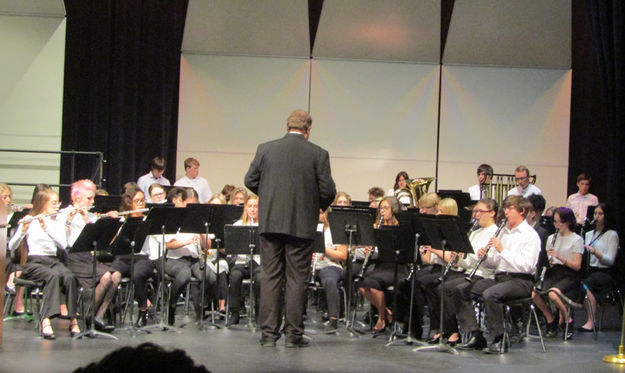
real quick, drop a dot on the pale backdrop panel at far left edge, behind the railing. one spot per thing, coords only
(31, 97)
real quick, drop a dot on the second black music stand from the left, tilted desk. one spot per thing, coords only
(129, 241)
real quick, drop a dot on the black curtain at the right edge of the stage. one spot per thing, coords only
(597, 99)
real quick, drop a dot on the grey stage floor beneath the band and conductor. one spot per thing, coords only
(236, 350)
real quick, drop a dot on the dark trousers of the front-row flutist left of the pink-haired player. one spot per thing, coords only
(57, 279)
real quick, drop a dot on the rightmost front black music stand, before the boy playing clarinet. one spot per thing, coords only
(448, 230)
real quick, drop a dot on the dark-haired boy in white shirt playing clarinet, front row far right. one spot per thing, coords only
(513, 255)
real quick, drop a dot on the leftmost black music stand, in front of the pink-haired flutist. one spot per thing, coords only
(94, 237)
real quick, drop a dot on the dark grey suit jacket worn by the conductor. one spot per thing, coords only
(293, 180)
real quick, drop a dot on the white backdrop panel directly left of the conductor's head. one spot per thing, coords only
(228, 105)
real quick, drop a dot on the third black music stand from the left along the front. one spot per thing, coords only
(164, 220)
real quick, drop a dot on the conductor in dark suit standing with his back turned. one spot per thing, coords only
(293, 180)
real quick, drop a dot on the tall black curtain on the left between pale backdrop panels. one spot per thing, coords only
(122, 72)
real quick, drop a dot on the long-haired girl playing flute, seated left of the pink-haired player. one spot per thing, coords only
(44, 236)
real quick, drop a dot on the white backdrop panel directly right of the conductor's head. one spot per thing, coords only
(375, 119)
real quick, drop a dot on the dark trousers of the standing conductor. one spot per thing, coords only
(286, 260)
